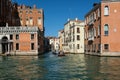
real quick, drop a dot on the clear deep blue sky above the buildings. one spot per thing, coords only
(57, 12)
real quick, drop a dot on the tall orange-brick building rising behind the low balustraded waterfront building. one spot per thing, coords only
(31, 16)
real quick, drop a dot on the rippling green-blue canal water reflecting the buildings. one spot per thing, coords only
(52, 67)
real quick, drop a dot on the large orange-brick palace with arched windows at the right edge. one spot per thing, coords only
(102, 29)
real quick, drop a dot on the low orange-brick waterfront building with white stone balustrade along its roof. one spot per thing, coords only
(19, 40)
